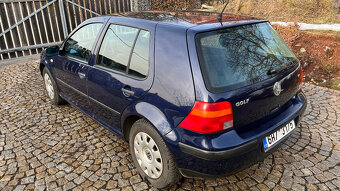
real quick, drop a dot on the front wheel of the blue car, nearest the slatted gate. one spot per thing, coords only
(51, 88)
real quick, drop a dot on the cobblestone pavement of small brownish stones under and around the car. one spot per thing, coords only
(59, 148)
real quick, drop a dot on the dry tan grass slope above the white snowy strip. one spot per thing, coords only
(288, 10)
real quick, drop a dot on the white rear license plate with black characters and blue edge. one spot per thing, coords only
(278, 135)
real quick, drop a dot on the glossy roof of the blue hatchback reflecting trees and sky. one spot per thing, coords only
(189, 19)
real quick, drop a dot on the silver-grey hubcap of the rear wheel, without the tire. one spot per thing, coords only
(148, 155)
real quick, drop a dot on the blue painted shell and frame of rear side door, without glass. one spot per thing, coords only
(105, 86)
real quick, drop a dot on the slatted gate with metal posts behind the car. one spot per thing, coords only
(27, 26)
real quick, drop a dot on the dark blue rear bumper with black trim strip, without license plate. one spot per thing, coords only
(227, 153)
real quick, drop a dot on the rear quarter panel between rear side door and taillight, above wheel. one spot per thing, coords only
(173, 89)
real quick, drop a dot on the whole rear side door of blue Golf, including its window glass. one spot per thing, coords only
(121, 73)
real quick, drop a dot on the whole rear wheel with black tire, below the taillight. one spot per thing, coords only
(152, 157)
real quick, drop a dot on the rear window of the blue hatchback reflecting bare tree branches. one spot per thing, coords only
(236, 57)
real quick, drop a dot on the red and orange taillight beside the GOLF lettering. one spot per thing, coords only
(209, 117)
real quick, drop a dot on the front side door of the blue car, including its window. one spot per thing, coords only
(72, 65)
